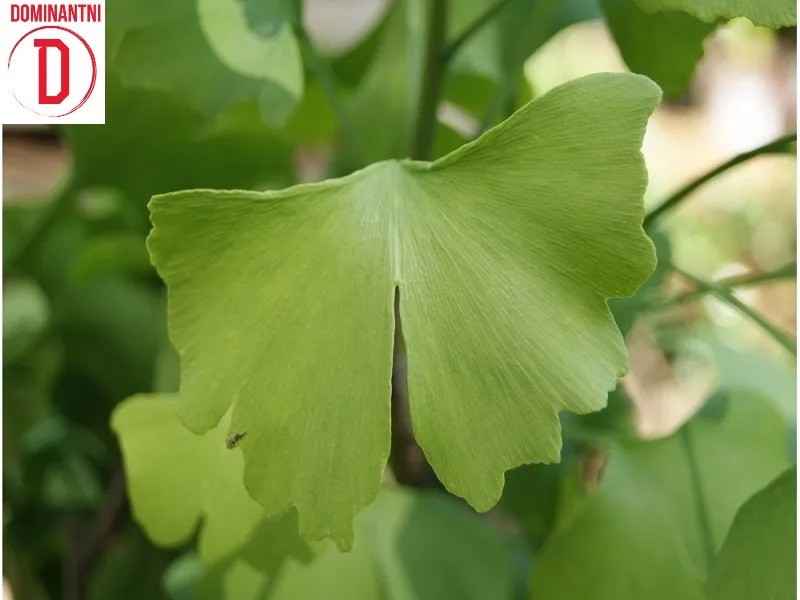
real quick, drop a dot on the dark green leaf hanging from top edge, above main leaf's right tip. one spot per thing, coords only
(664, 46)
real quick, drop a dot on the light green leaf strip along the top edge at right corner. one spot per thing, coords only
(769, 13)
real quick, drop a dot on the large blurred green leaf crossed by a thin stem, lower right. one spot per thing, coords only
(639, 534)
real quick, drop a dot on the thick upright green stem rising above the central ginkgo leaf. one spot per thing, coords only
(433, 75)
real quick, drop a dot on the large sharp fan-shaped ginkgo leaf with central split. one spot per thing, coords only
(502, 254)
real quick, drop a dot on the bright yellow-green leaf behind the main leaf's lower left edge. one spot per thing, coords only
(175, 478)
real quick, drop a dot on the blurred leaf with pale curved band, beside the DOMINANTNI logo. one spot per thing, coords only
(201, 51)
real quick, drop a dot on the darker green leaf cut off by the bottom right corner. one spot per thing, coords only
(759, 557)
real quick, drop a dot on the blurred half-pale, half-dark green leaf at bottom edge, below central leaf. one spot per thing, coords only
(408, 546)
